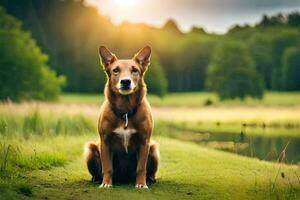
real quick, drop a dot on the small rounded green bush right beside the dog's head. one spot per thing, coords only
(155, 79)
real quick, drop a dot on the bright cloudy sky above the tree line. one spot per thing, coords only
(213, 15)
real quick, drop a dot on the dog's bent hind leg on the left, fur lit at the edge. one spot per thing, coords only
(93, 161)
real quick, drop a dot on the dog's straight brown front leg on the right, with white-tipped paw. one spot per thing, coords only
(141, 166)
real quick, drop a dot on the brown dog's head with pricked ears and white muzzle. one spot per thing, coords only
(125, 76)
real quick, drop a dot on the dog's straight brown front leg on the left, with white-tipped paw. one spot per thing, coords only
(107, 170)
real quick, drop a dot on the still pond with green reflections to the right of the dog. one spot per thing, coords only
(269, 148)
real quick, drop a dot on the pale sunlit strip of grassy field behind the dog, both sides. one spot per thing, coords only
(281, 121)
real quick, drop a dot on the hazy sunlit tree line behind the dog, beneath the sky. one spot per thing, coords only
(70, 33)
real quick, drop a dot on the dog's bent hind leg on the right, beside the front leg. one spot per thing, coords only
(153, 162)
